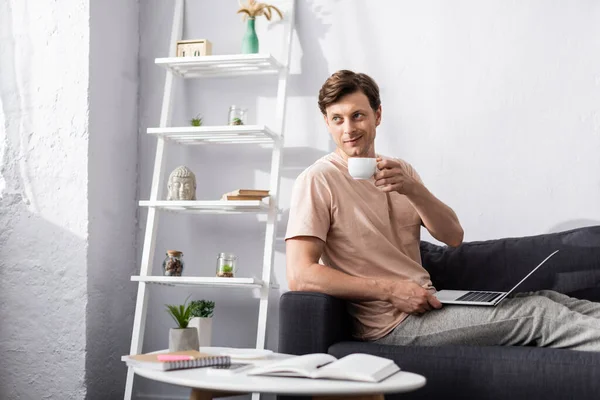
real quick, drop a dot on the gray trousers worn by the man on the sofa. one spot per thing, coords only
(545, 318)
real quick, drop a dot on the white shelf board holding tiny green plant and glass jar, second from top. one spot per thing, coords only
(190, 135)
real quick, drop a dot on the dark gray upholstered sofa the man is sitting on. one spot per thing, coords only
(314, 322)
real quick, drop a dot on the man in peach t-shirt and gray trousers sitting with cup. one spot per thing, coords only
(367, 234)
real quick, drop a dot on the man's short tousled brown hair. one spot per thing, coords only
(345, 82)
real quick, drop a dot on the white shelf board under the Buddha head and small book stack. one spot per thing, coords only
(210, 206)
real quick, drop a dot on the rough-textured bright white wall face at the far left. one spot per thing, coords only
(44, 138)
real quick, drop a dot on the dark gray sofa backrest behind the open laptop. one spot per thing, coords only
(499, 264)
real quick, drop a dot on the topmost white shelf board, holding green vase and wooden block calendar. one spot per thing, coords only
(221, 65)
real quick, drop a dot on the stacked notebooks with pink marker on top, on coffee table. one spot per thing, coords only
(196, 360)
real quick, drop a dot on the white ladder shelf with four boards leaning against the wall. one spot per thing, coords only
(208, 67)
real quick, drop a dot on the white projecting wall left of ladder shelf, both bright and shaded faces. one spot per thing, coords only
(68, 183)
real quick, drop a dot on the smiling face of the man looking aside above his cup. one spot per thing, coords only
(352, 124)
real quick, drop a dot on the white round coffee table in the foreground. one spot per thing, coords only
(203, 383)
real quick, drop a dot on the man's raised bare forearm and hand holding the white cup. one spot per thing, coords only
(439, 219)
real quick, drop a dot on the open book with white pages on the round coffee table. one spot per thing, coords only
(353, 367)
